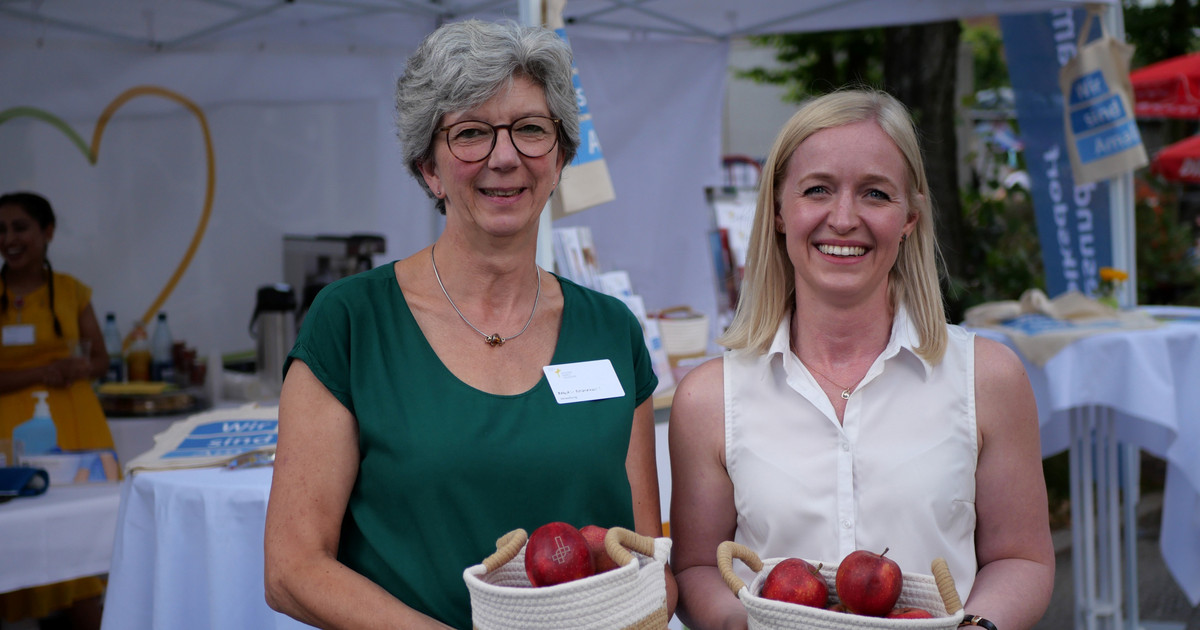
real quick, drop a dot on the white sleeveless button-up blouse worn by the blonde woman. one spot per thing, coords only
(898, 475)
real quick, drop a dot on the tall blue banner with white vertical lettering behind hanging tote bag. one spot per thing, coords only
(1073, 221)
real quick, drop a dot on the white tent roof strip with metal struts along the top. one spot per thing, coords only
(184, 23)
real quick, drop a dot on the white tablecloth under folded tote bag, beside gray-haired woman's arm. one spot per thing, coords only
(189, 553)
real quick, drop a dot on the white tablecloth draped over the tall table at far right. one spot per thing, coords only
(1151, 381)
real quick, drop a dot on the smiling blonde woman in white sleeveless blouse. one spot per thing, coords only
(848, 415)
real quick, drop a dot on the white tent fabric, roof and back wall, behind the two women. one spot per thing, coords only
(298, 97)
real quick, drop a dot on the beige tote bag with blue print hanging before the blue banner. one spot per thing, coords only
(1102, 133)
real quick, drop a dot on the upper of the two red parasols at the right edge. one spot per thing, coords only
(1168, 89)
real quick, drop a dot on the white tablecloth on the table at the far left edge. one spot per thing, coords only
(62, 535)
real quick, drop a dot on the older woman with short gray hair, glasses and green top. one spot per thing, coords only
(417, 423)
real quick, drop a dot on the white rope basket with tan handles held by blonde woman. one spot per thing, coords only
(934, 595)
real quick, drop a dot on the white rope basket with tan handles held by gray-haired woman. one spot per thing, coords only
(632, 597)
